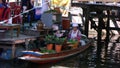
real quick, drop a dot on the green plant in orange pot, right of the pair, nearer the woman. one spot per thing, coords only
(58, 43)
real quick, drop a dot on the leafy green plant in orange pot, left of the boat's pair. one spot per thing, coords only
(49, 41)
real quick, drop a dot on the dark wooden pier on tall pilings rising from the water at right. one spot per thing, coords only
(91, 11)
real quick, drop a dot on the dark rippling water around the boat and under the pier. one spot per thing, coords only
(109, 58)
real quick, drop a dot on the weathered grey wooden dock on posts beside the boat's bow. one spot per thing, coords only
(11, 43)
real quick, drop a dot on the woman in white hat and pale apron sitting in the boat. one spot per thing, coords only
(74, 33)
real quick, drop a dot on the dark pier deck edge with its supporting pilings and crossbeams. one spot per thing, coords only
(99, 9)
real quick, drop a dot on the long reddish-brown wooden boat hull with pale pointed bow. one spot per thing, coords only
(54, 57)
